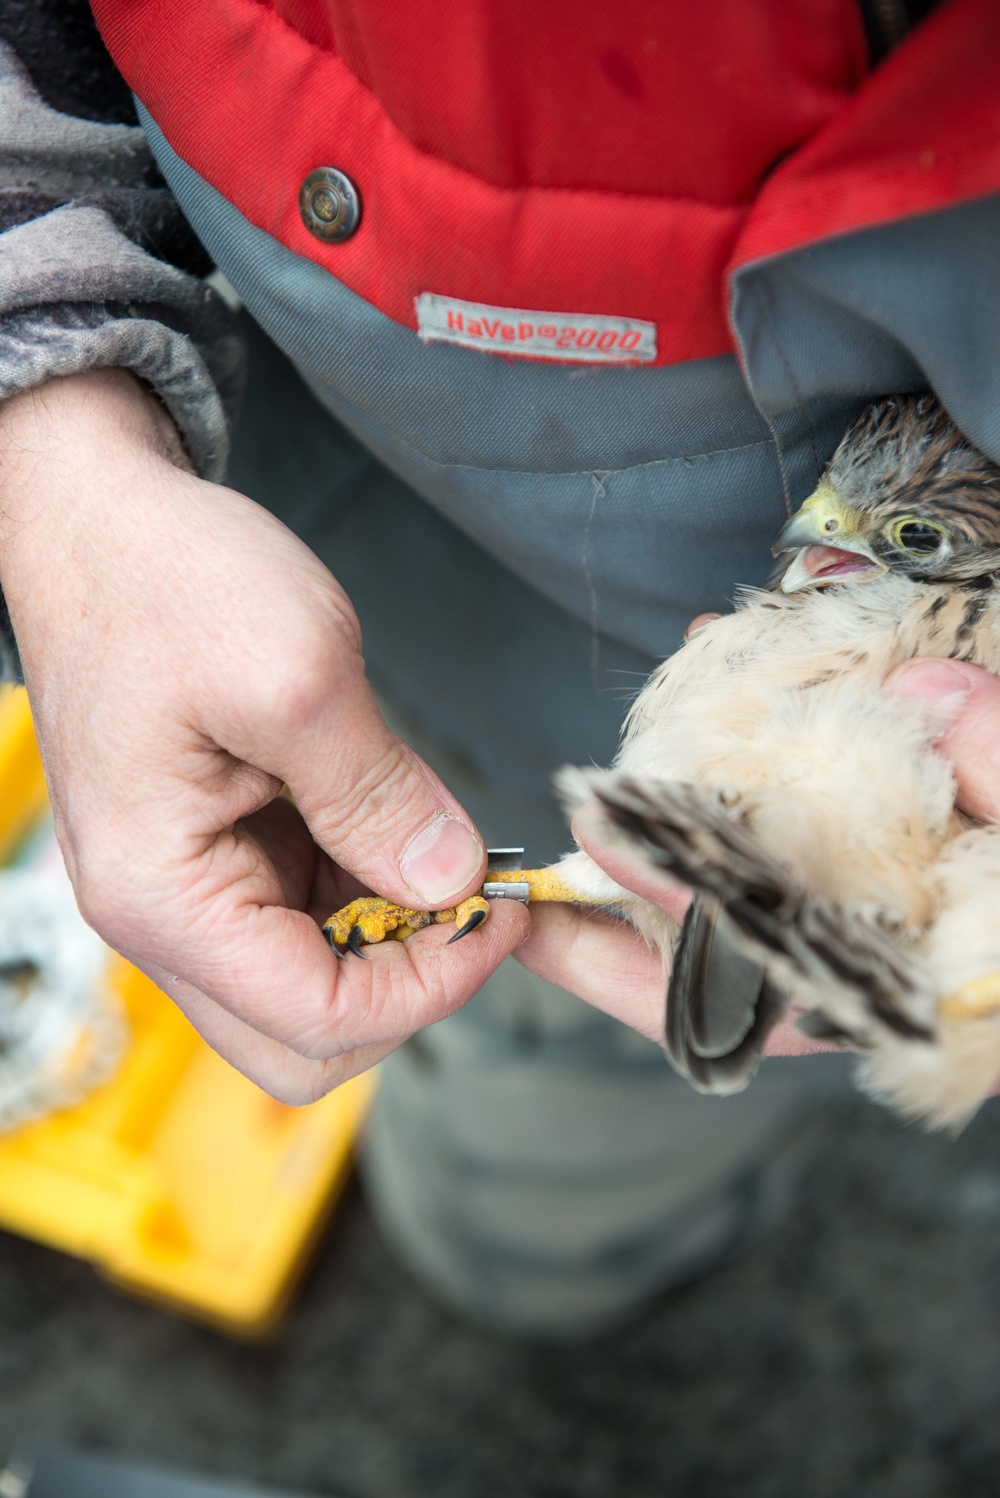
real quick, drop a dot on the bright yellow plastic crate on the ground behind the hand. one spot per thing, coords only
(179, 1178)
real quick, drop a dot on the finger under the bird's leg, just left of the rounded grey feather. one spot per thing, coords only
(603, 961)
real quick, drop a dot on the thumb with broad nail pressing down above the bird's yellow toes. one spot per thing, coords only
(376, 808)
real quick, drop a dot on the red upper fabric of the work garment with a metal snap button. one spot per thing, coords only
(564, 158)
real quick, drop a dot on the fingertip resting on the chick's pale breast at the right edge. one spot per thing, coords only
(963, 708)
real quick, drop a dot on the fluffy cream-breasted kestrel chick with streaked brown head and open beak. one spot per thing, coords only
(764, 766)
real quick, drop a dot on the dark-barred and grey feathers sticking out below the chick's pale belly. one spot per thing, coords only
(755, 936)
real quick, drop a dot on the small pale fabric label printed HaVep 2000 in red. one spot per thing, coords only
(580, 338)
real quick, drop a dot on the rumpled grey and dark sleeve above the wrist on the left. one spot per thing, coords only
(88, 278)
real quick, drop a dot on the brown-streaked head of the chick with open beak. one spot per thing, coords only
(905, 492)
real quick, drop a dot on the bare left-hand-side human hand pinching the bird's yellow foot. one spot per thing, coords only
(186, 655)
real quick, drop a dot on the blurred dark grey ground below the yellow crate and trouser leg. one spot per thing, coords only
(854, 1353)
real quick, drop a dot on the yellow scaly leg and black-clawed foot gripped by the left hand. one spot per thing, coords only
(372, 919)
